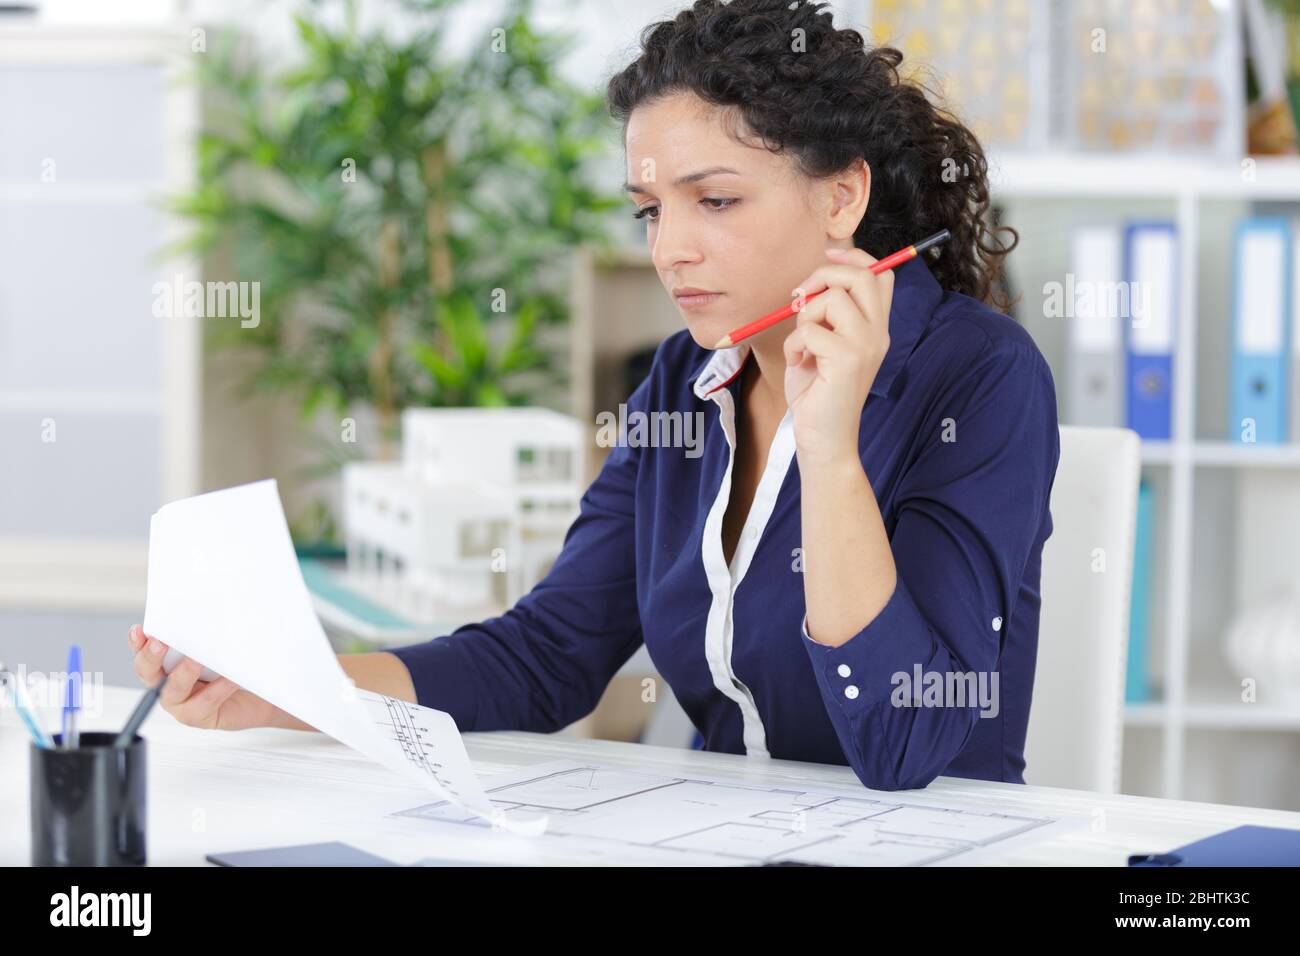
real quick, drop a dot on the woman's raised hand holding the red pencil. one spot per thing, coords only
(834, 354)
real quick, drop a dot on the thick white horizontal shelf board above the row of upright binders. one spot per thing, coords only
(1074, 175)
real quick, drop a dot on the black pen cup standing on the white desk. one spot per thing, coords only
(88, 804)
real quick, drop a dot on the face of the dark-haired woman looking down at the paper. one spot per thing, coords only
(751, 235)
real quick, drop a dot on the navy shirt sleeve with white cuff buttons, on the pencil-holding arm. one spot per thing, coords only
(970, 512)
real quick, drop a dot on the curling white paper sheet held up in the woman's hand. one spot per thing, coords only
(226, 589)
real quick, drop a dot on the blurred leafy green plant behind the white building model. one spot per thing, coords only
(408, 215)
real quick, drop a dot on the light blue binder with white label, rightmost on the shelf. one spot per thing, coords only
(1262, 336)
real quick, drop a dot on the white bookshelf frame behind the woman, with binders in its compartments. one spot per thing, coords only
(1199, 197)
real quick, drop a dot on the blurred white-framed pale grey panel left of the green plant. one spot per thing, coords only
(112, 109)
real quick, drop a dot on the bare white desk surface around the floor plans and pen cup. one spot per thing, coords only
(214, 791)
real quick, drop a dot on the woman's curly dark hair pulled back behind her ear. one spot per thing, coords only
(829, 100)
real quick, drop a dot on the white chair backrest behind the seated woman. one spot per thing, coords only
(1076, 734)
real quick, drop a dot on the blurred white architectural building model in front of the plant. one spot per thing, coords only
(471, 518)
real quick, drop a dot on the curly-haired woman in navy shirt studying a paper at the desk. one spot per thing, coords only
(847, 572)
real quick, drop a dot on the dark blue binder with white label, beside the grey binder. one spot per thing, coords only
(1151, 271)
